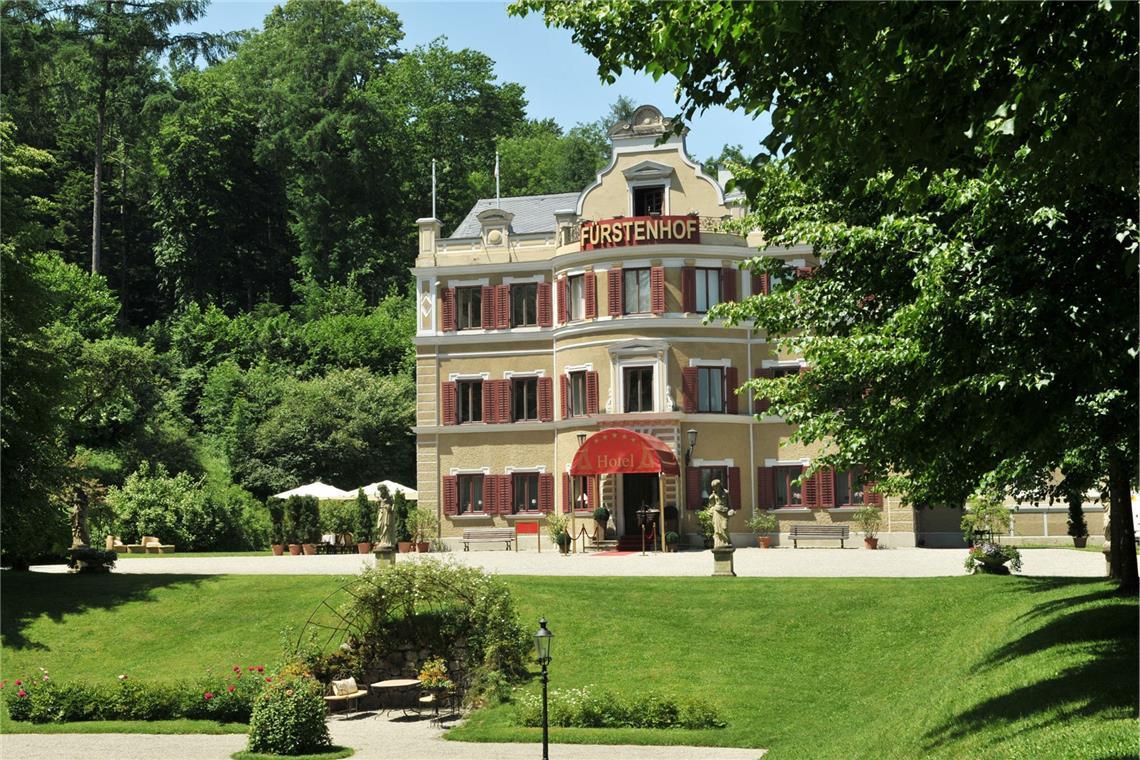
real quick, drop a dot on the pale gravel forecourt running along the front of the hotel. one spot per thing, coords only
(751, 562)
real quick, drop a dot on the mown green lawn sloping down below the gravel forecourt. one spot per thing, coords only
(810, 668)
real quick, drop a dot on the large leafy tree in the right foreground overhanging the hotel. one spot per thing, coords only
(968, 173)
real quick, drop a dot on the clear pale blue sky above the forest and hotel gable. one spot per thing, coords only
(561, 80)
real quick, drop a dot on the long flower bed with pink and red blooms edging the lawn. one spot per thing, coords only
(226, 699)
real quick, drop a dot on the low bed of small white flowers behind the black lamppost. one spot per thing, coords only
(590, 708)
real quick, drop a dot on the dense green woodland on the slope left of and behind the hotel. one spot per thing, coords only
(207, 242)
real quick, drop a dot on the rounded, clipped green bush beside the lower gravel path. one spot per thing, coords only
(289, 718)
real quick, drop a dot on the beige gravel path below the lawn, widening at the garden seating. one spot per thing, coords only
(373, 737)
